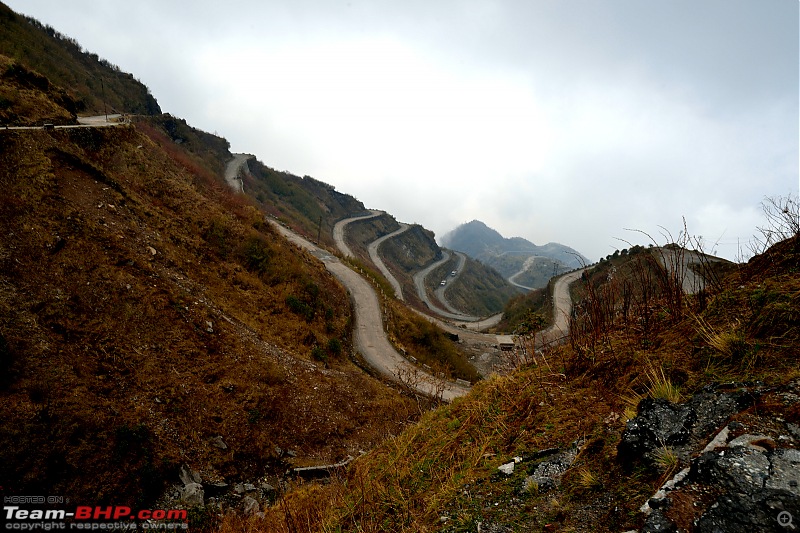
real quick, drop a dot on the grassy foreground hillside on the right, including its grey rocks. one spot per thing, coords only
(586, 433)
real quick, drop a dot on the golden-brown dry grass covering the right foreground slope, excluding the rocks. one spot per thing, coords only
(446, 464)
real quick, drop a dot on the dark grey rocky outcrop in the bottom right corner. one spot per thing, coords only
(741, 458)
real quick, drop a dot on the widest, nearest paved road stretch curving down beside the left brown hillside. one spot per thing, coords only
(370, 338)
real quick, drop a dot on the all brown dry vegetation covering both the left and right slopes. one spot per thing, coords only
(144, 310)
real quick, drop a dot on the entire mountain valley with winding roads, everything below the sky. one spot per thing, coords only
(186, 328)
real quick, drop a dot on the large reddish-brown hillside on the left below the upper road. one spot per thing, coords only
(151, 319)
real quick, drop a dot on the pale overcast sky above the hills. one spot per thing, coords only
(583, 122)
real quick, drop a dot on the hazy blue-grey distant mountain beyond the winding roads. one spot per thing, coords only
(509, 255)
